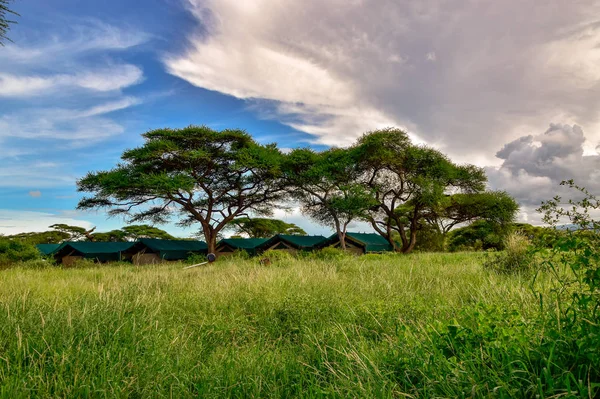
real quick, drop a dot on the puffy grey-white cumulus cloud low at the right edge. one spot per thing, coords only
(534, 165)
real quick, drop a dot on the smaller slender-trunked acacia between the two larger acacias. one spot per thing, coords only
(325, 185)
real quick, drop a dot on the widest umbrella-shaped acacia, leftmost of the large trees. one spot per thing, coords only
(196, 173)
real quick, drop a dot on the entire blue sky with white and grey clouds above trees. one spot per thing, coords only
(512, 86)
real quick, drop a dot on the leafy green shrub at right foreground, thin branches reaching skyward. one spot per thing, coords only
(573, 262)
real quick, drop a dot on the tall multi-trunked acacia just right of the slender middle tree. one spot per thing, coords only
(407, 180)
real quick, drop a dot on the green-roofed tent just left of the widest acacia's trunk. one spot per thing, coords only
(152, 250)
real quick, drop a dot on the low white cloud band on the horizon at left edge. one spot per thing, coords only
(15, 221)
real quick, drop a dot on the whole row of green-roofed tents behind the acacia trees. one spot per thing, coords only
(151, 251)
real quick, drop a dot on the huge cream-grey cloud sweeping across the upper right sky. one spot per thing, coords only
(466, 76)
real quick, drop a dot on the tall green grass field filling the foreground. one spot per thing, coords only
(423, 325)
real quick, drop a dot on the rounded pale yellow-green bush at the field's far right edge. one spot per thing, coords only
(517, 257)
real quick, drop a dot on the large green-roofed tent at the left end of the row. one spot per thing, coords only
(70, 252)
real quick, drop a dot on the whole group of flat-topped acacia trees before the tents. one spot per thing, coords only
(197, 175)
